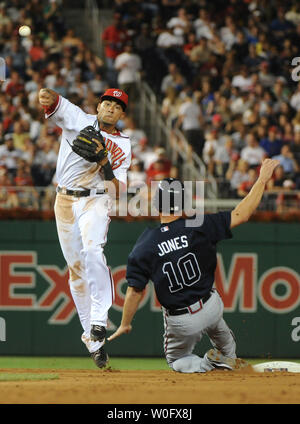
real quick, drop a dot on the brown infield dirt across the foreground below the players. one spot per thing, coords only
(150, 387)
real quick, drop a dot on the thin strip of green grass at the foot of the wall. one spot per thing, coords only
(86, 363)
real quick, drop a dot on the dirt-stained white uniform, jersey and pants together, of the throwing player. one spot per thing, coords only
(82, 222)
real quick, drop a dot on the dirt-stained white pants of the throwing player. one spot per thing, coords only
(82, 226)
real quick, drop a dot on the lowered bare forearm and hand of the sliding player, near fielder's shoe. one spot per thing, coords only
(131, 303)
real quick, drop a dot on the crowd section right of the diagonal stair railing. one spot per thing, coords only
(224, 77)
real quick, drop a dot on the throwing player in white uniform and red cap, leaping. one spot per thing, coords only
(92, 163)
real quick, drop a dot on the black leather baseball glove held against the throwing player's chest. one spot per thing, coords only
(90, 145)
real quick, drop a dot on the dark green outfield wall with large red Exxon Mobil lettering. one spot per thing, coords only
(257, 276)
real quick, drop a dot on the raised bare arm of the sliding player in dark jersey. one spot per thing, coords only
(248, 205)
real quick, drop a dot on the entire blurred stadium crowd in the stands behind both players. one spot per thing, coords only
(222, 71)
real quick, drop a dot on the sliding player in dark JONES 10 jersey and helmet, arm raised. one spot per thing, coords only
(181, 261)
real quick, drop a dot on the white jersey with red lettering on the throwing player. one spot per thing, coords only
(74, 172)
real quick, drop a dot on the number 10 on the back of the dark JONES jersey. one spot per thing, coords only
(185, 273)
